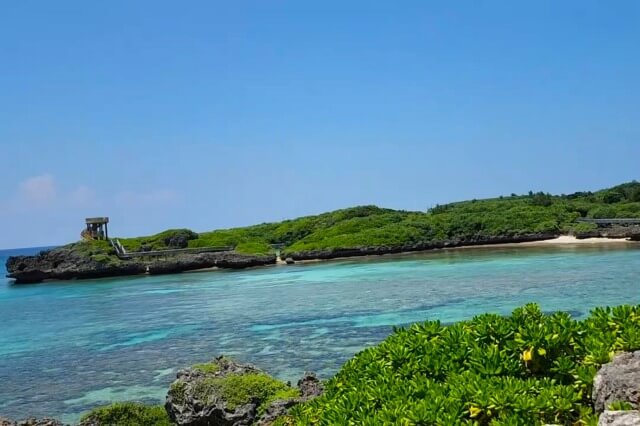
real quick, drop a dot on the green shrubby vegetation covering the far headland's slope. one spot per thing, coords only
(368, 226)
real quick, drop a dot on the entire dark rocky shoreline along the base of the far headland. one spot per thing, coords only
(68, 263)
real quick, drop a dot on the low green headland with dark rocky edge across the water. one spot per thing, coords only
(357, 231)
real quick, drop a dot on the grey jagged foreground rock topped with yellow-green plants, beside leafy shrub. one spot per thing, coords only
(200, 395)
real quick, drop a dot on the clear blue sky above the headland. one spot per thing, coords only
(208, 114)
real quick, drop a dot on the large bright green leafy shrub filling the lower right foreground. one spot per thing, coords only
(525, 369)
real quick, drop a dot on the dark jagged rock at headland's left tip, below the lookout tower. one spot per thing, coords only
(66, 263)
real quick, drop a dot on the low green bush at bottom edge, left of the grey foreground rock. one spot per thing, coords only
(128, 414)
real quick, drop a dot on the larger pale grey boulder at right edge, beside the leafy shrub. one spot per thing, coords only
(618, 381)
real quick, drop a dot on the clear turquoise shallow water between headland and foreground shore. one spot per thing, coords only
(68, 346)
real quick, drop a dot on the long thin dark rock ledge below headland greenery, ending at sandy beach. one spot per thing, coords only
(380, 250)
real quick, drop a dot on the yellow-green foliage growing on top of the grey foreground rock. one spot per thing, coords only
(239, 389)
